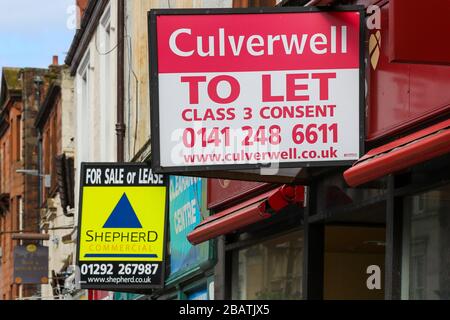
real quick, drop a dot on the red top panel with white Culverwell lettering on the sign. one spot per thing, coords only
(246, 25)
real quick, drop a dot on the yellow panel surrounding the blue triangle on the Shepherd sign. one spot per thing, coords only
(144, 243)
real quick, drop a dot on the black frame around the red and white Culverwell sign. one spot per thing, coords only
(154, 86)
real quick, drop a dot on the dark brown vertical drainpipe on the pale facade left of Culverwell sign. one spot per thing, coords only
(120, 125)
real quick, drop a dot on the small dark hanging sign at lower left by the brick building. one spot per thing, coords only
(30, 264)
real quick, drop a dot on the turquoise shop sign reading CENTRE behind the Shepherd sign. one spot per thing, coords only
(185, 213)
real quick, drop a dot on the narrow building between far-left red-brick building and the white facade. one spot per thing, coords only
(56, 132)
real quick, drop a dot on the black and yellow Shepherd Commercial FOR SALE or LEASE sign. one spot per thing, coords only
(122, 221)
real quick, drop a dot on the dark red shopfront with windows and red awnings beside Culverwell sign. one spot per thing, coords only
(379, 229)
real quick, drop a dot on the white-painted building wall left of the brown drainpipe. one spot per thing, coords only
(92, 61)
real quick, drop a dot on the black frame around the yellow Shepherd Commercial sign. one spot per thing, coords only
(80, 209)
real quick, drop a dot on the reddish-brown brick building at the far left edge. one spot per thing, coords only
(18, 150)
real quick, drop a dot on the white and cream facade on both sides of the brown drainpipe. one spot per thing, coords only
(112, 104)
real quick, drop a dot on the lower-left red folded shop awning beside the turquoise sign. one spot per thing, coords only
(246, 213)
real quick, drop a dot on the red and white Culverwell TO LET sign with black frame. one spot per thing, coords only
(239, 89)
